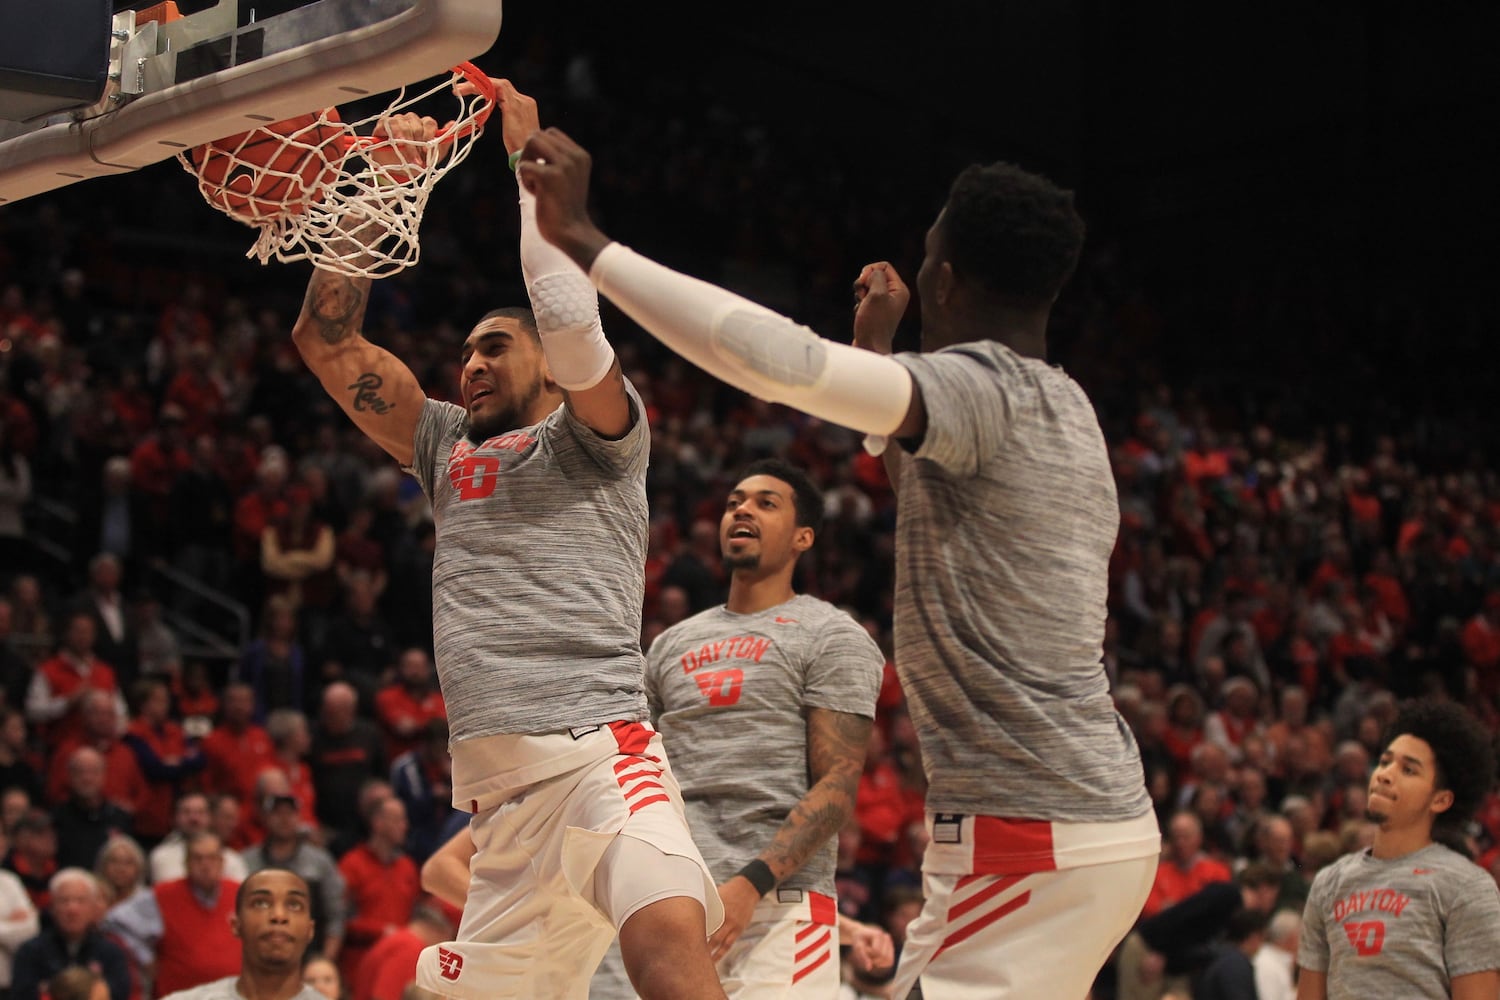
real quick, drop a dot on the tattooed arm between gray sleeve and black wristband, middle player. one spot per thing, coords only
(836, 744)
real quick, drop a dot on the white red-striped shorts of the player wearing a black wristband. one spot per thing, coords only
(790, 951)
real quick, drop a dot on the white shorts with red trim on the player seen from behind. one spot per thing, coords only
(1040, 932)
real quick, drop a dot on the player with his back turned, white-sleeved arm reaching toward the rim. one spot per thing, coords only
(1043, 839)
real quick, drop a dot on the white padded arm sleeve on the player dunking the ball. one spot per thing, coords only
(566, 307)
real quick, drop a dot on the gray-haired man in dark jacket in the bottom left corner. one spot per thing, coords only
(74, 939)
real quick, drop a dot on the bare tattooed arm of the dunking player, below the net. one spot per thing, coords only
(373, 386)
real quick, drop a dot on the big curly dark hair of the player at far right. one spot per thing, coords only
(1463, 750)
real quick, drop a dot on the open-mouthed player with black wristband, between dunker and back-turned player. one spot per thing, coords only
(766, 704)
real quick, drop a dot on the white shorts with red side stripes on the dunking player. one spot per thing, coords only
(532, 926)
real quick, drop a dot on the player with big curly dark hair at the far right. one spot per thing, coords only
(1411, 917)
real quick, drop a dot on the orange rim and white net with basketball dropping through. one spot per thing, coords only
(332, 193)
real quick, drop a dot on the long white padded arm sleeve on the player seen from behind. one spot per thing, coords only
(755, 349)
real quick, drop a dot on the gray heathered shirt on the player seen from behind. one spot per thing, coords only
(1006, 525)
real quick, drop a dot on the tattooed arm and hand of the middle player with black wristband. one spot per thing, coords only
(836, 746)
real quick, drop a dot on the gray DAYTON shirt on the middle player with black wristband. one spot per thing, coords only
(731, 695)
